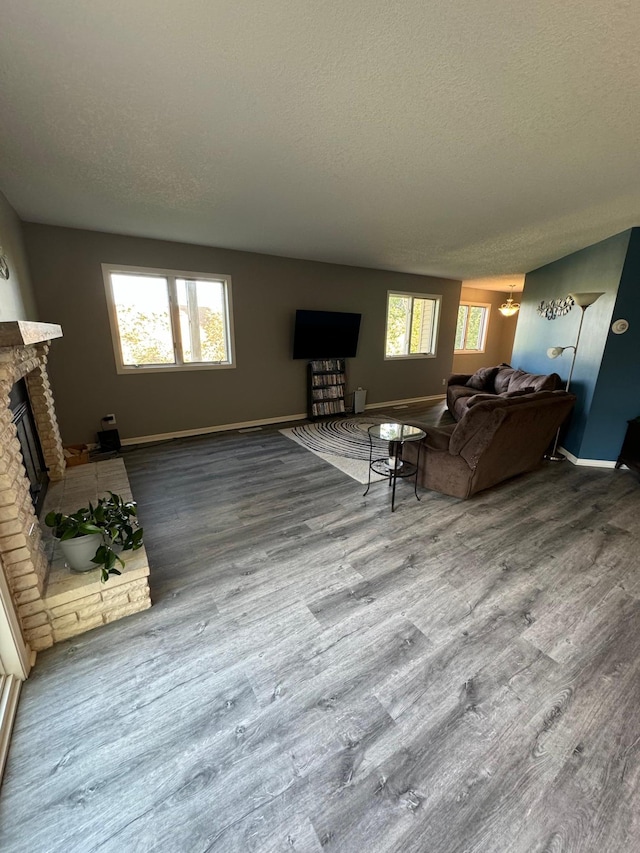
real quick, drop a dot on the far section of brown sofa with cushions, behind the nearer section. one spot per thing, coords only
(503, 380)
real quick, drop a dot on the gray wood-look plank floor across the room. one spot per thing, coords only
(319, 674)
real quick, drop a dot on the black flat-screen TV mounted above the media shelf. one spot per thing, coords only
(325, 334)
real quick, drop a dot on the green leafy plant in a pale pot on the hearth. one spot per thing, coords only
(93, 536)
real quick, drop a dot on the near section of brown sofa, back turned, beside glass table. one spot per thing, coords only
(498, 438)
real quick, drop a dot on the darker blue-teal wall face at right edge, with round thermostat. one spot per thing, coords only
(616, 397)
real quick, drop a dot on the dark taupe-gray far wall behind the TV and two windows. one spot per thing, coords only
(266, 383)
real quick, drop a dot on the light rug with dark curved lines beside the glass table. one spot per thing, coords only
(342, 443)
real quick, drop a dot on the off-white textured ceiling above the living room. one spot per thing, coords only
(474, 138)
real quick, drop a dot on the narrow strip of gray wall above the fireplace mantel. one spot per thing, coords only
(16, 295)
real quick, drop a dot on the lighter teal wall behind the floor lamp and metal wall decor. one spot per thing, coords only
(595, 268)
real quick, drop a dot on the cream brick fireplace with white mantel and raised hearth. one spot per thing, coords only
(50, 603)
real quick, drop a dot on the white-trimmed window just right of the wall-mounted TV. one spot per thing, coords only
(412, 325)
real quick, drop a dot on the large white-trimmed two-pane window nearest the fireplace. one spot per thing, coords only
(168, 319)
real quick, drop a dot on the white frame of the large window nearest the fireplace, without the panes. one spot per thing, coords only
(170, 276)
